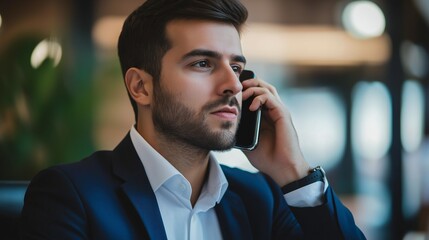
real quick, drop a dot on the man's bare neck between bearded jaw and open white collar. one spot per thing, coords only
(190, 161)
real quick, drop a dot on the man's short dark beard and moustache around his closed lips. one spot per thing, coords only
(180, 123)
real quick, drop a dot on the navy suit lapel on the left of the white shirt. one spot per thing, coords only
(136, 187)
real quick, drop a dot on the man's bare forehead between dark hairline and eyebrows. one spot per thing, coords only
(191, 34)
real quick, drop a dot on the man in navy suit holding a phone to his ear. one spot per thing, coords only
(181, 61)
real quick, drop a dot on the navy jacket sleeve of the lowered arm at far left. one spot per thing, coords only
(52, 208)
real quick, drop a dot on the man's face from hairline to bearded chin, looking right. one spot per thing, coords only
(199, 98)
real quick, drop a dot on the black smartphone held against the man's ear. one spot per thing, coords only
(248, 129)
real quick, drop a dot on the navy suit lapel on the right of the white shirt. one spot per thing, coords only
(232, 217)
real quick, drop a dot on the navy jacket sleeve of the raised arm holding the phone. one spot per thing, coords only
(331, 220)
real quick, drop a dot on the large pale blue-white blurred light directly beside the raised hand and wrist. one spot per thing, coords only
(319, 117)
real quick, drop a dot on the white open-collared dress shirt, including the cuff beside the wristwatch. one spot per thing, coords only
(173, 193)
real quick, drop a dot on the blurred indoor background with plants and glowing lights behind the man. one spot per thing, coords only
(353, 73)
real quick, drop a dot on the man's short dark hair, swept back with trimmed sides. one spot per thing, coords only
(143, 41)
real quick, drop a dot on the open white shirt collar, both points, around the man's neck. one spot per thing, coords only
(159, 170)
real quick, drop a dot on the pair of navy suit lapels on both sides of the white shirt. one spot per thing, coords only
(231, 213)
